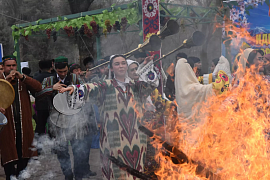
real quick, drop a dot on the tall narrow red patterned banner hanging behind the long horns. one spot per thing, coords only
(151, 25)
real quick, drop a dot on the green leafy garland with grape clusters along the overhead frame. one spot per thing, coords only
(131, 14)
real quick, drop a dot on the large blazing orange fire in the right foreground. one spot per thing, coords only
(227, 137)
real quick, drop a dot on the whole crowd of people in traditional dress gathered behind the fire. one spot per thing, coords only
(122, 91)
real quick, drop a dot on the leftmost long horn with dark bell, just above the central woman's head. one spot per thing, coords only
(151, 44)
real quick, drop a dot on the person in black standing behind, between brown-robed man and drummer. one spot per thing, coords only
(42, 104)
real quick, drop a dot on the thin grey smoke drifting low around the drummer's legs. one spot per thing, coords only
(81, 126)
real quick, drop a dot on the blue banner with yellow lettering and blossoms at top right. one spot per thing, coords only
(255, 16)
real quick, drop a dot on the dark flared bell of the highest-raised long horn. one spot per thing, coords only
(170, 28)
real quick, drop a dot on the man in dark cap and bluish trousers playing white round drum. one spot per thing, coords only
(74, 129)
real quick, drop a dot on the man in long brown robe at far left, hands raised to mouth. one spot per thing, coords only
(17, 136)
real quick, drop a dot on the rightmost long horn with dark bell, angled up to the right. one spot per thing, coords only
(197, 39)
